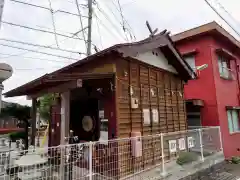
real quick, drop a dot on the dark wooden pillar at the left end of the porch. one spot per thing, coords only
(33, 120)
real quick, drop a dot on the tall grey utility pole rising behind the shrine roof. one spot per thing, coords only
(89, 41)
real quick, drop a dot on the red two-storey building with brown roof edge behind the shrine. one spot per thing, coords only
(213, 98)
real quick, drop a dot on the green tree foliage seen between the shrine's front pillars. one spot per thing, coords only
(44, 106)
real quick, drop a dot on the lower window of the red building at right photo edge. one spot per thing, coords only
(233, 121)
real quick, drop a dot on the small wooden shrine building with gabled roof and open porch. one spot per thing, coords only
(132, 88)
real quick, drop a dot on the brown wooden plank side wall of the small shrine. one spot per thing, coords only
(167, 100)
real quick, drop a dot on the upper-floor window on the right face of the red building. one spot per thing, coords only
(224, 67)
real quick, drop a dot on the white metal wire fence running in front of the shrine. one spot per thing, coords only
(130, 158)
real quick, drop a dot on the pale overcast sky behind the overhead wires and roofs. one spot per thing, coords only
(173, 15)
